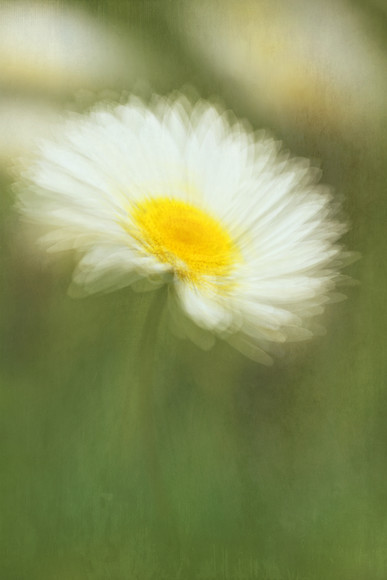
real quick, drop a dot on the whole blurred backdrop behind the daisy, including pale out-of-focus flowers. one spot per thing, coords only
(240, 471)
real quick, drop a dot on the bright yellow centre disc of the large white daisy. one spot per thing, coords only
(193, 242)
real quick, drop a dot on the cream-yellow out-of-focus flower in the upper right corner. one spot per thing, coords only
(310, 63)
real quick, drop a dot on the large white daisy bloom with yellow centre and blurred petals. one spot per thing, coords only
(179, 193)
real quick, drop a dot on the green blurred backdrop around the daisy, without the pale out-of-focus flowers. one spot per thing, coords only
(236, 471)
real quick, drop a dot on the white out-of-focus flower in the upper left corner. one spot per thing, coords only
(46, 46)
